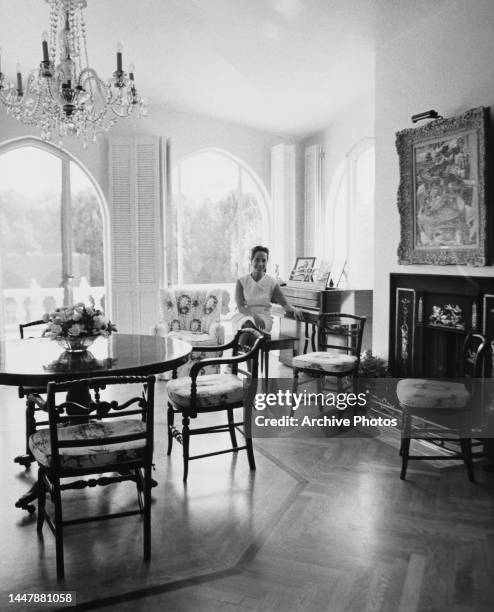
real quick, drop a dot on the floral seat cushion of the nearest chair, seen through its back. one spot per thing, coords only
(90, 456)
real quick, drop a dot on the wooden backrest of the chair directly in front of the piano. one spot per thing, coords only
(337, 330)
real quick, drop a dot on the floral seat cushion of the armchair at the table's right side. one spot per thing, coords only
(212, 390)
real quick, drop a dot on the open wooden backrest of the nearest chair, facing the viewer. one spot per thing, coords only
(79, 406)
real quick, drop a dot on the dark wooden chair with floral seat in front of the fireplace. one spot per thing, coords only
(440, 406)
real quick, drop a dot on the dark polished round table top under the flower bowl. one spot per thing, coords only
(36, 361)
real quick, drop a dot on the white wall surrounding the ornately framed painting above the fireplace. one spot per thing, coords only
(443, 62)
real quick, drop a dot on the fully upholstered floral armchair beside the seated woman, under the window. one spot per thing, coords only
(193, 315)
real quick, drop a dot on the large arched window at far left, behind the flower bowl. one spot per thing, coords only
(51, 233)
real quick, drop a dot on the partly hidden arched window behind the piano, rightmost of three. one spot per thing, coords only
(350, 217)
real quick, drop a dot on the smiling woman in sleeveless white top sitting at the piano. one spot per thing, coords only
(254, 294)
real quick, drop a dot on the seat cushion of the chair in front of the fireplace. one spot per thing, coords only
(424, 393)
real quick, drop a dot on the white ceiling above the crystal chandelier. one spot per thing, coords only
(288, 66)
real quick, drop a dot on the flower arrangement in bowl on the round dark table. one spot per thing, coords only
(77, 321)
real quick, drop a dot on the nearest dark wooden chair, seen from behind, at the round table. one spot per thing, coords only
(88, 436)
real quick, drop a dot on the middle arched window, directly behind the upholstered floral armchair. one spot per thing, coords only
(221, 212)
